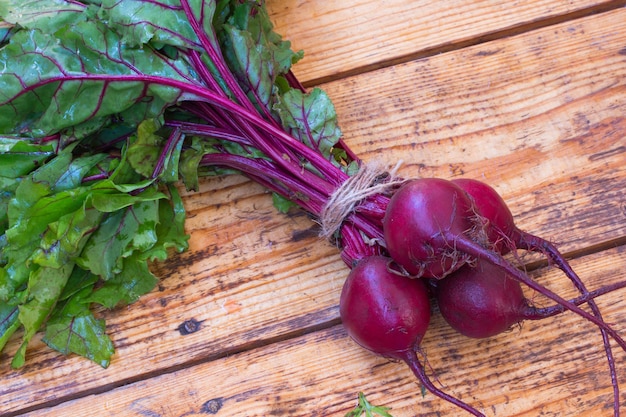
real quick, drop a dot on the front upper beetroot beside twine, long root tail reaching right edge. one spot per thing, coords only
(430, 224)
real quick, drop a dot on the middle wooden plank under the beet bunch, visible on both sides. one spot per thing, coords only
(505, 111)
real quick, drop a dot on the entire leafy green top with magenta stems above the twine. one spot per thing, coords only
(104, 107)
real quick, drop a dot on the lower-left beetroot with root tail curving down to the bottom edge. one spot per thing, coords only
(388, 314)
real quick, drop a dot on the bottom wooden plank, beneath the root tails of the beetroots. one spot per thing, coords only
(552, 367)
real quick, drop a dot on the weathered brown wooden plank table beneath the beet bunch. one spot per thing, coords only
(529, 96)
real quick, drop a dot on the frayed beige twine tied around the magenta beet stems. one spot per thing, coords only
(371, 178)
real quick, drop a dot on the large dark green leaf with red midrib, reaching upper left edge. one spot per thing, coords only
(83, 74)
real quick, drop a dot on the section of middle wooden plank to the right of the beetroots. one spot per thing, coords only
(531, 115)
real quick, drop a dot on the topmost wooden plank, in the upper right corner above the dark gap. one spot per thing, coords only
(346, 37)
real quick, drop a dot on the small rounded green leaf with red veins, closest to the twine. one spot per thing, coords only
(311, 118)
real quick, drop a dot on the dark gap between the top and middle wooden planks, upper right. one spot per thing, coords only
(487, 37)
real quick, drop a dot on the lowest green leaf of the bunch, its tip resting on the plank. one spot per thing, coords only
(74, 329)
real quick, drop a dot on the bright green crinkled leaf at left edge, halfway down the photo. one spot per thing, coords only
(44, 215)
